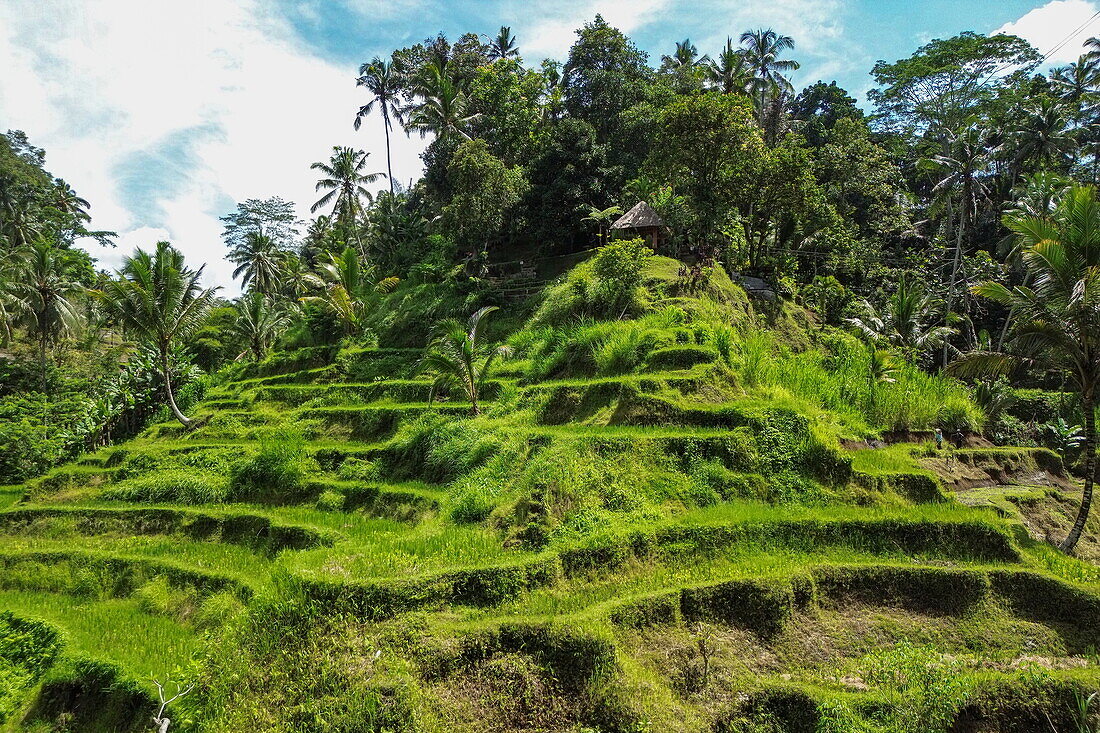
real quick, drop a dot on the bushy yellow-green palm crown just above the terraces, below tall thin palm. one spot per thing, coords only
(351, 289)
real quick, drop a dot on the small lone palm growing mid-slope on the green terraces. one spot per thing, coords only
(459, 360)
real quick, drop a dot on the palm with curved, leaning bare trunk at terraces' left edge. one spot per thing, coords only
(159, 298)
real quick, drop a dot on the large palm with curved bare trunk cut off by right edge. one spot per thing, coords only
(1058, 320)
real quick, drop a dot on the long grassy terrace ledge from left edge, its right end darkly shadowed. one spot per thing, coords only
(254, 531)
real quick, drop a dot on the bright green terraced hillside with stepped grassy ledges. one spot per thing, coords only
(676, 548)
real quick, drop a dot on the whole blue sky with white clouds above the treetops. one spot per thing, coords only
(166, 114)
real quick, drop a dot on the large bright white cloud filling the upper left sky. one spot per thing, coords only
(103, 86)
